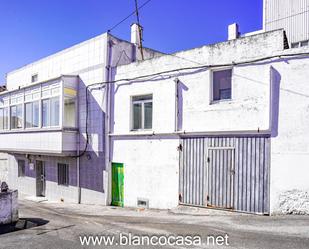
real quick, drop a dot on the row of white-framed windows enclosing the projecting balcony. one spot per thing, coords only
(45, 105)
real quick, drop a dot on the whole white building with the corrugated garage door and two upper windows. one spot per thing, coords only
(224, 125)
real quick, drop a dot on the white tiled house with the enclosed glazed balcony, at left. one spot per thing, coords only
(52, 131)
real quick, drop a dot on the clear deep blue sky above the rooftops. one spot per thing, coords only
(33, 29)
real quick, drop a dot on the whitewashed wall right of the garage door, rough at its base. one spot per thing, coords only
(290, 149)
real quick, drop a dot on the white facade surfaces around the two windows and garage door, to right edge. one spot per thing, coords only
(151, 157)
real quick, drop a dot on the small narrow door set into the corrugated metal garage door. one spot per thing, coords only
(220, 178)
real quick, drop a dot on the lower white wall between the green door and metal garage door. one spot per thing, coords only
(151, 171)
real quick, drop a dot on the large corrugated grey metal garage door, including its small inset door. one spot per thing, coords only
(225, 172)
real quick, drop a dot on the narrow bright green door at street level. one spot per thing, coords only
(117, 184)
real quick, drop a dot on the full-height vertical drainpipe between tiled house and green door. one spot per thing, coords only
(107, 185)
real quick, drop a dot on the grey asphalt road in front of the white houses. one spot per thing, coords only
(55, 226)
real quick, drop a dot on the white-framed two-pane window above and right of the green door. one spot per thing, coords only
(141, 112)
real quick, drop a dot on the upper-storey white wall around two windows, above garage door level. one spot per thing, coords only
(248, 109)
